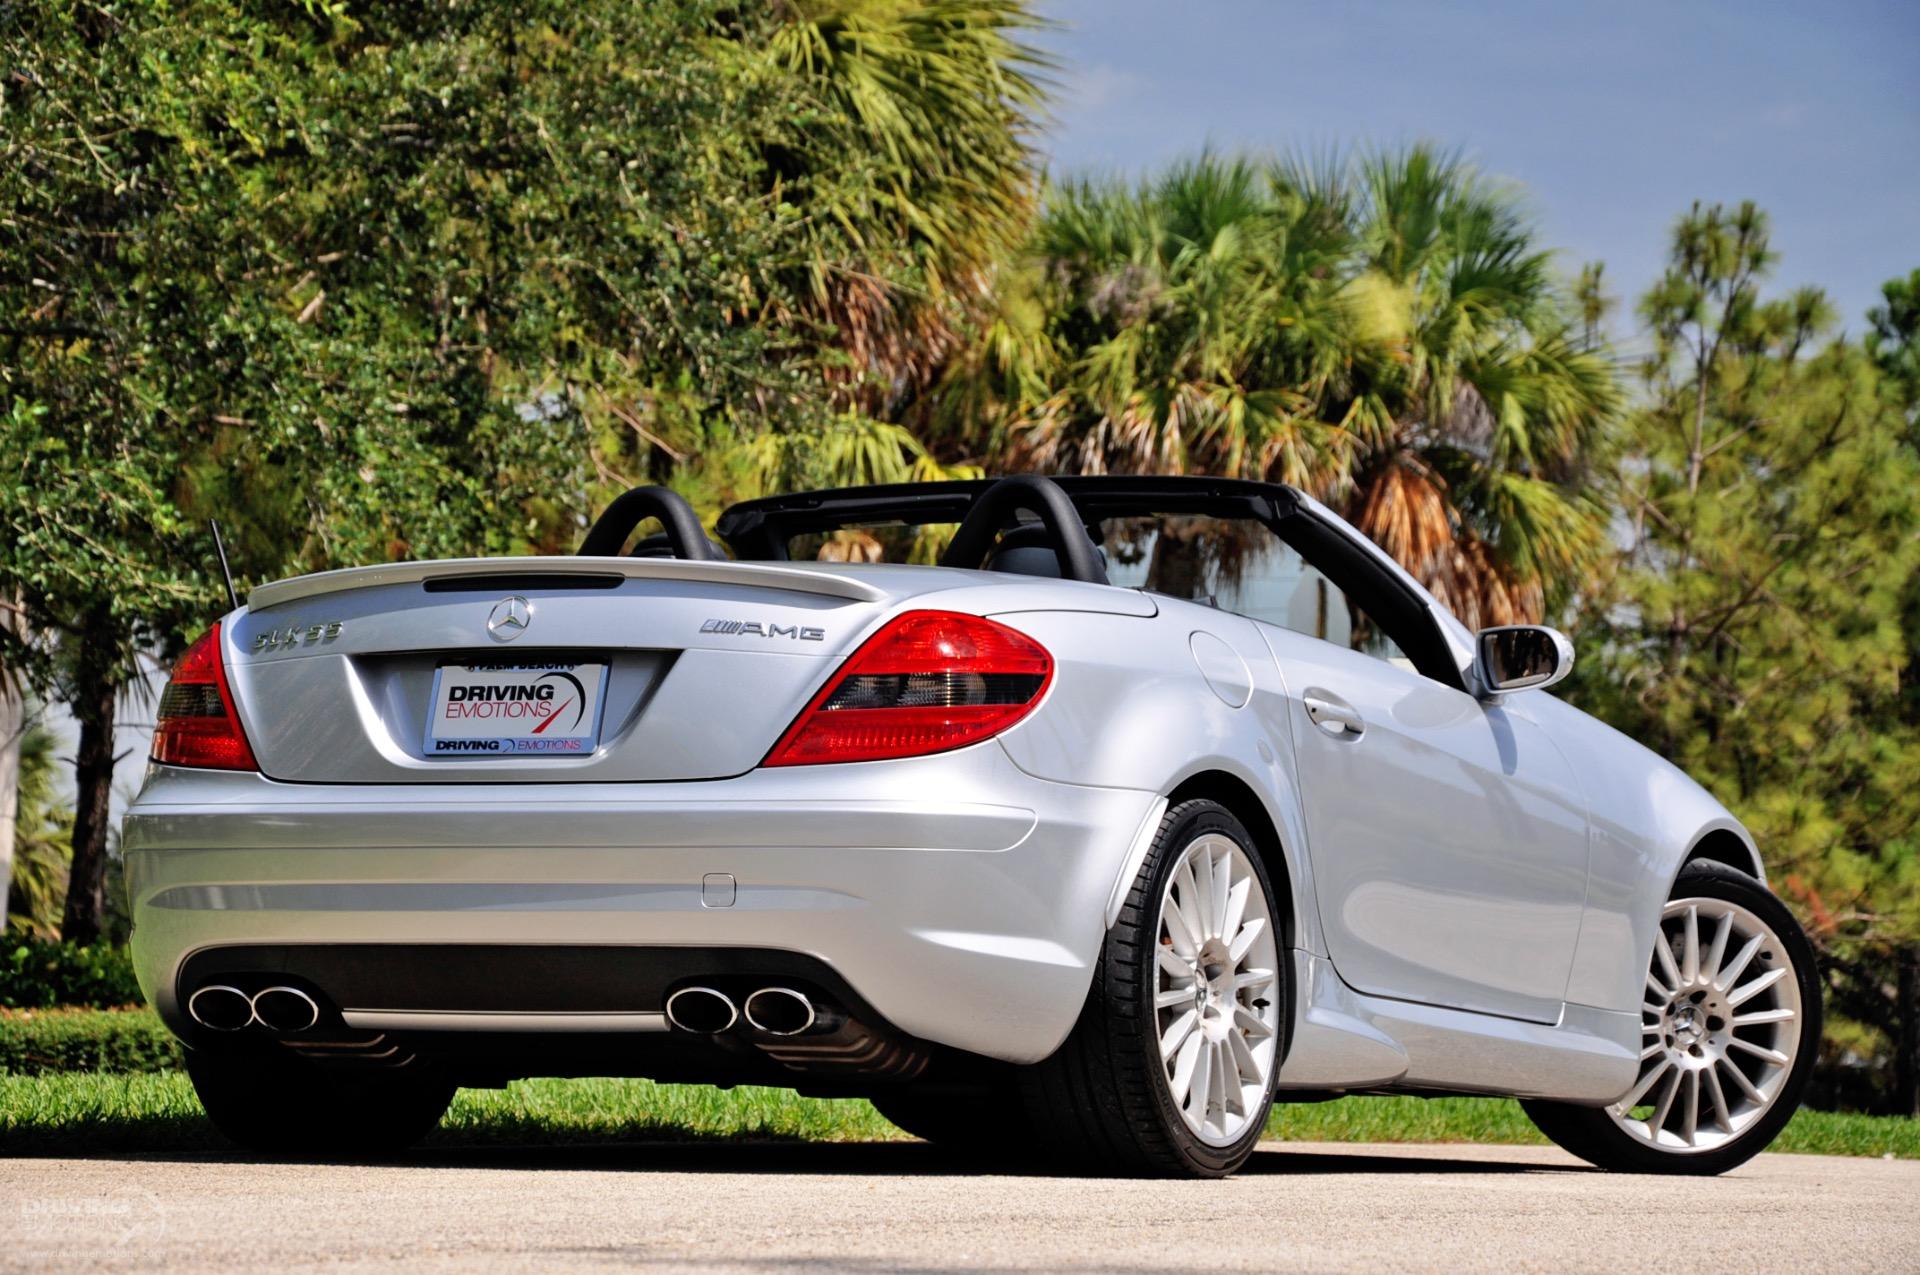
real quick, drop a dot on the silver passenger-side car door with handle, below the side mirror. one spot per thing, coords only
(1447, 834)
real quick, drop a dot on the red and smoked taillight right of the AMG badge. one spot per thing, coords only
(928, 683)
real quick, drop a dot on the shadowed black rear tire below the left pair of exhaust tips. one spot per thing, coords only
(281, 1105)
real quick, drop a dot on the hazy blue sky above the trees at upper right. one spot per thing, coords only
(1614, 116)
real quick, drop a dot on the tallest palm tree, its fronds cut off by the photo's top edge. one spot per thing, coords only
(907, 178)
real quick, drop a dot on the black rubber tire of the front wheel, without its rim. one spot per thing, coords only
(1591, 1132)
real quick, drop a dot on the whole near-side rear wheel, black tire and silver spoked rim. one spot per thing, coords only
(1172, 1065)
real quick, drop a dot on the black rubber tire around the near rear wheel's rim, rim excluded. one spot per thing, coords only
(1103, 1101)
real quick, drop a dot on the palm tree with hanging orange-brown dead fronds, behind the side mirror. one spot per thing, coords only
(1497, 400)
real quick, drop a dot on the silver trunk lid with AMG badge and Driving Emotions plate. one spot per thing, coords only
(654, 669)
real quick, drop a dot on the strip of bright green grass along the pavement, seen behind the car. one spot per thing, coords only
(158, 1113)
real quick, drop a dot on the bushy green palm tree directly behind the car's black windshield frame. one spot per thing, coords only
(1193, 325)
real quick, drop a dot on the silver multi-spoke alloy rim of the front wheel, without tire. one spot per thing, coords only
(1721, 1028)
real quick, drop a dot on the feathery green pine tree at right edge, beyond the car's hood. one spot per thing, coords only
(1754, 627)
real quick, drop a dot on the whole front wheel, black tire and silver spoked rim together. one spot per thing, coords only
(1729, 1036)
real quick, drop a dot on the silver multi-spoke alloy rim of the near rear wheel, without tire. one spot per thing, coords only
(1214, 1005)
